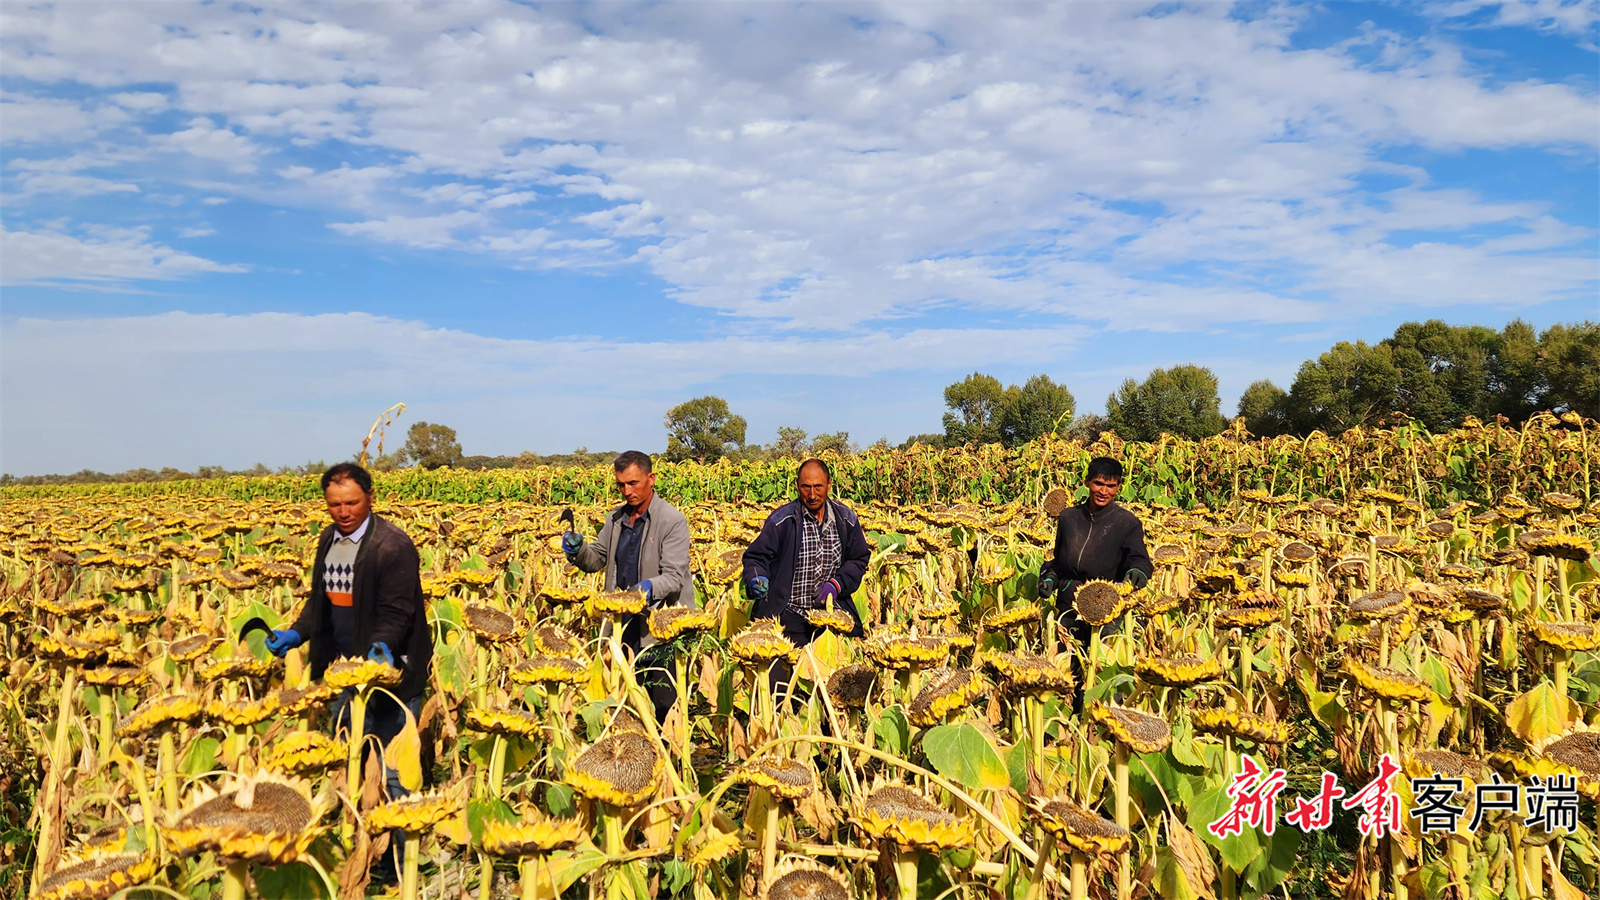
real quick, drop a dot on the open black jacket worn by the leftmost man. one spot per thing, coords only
(388, 603)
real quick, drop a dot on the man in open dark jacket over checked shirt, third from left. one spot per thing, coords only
(810, 556)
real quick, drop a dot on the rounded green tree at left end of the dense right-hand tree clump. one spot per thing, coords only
(1343, 388)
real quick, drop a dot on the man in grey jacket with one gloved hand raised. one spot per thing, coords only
(644, 545)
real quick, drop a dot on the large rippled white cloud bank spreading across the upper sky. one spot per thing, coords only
(820, 167)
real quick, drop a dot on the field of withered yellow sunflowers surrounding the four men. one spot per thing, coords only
(1366, 667)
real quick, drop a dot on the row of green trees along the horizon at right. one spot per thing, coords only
(1433, 372)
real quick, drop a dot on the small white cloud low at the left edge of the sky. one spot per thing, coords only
(105, 257)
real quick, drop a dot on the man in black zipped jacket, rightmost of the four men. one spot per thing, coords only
(1097, 539)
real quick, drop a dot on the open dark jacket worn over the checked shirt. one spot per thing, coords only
(775, 552)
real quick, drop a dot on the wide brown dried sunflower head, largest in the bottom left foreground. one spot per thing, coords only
(268, 819)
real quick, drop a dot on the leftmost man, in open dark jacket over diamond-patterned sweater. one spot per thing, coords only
(366, 601)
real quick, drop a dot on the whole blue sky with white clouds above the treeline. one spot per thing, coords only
(236, 233)
